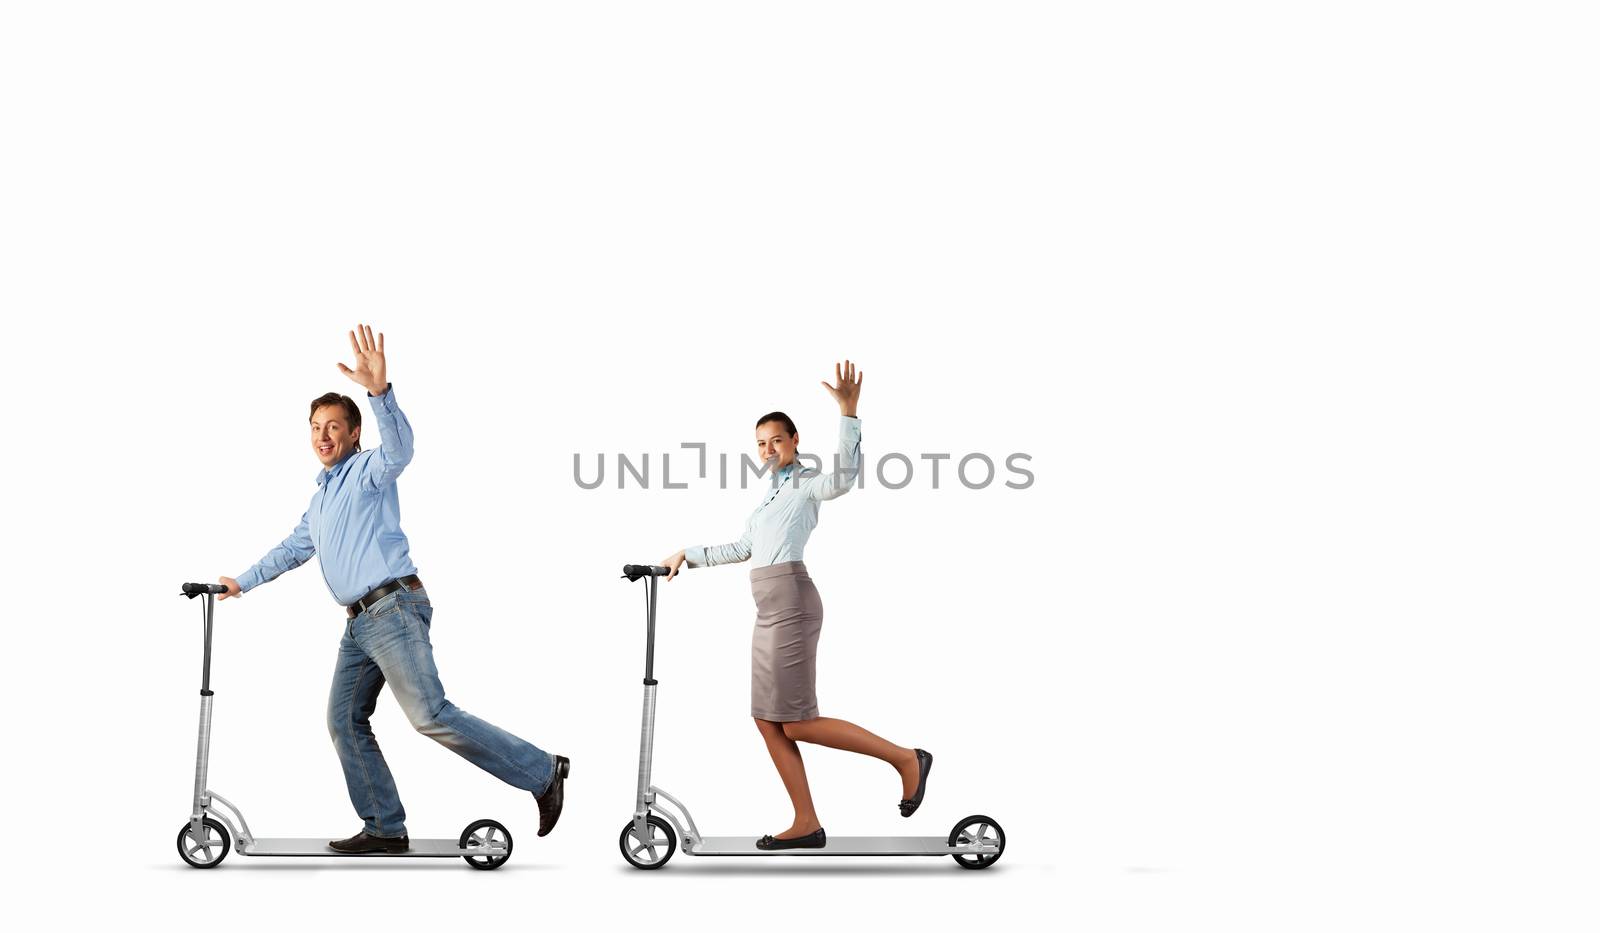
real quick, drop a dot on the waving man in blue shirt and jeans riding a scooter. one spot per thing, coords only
(353, 527)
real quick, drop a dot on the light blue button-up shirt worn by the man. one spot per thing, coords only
(353, 524)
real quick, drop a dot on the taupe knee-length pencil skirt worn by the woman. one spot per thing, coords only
(783, 649)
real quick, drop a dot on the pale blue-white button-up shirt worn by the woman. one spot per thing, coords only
(780, 527)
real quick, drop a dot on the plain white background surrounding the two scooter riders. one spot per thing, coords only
(1292, 306)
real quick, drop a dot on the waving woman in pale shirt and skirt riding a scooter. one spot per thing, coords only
(790, 615)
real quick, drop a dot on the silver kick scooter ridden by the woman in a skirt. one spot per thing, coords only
(649, 841)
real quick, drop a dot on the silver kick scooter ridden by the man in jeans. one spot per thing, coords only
(206, 839)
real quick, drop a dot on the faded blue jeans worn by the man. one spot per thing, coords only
(390, 643)
